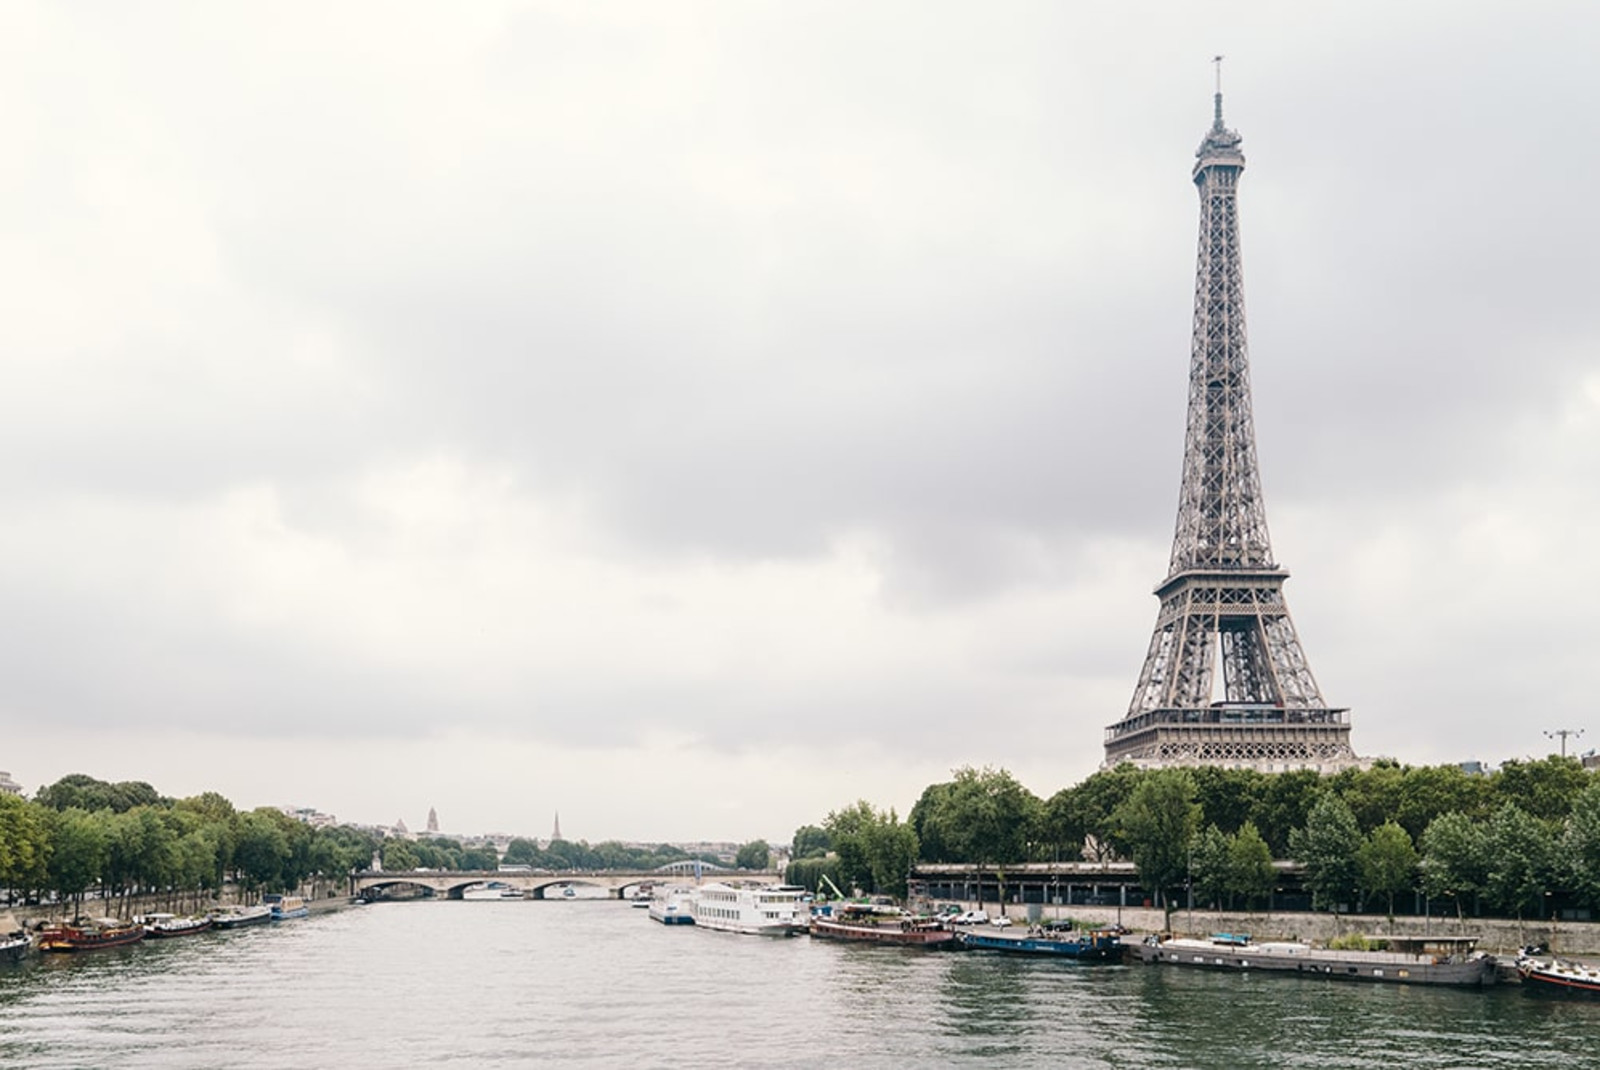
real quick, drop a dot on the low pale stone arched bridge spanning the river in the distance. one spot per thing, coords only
(550, 884)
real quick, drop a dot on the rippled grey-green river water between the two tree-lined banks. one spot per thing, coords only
(598, 984)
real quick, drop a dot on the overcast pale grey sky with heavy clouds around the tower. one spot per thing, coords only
(697, 417)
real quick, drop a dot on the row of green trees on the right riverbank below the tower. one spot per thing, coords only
(1519, 844)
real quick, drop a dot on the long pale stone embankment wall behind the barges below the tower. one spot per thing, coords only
(1495, 935)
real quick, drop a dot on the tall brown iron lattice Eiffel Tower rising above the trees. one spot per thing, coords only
(1223, 599)
